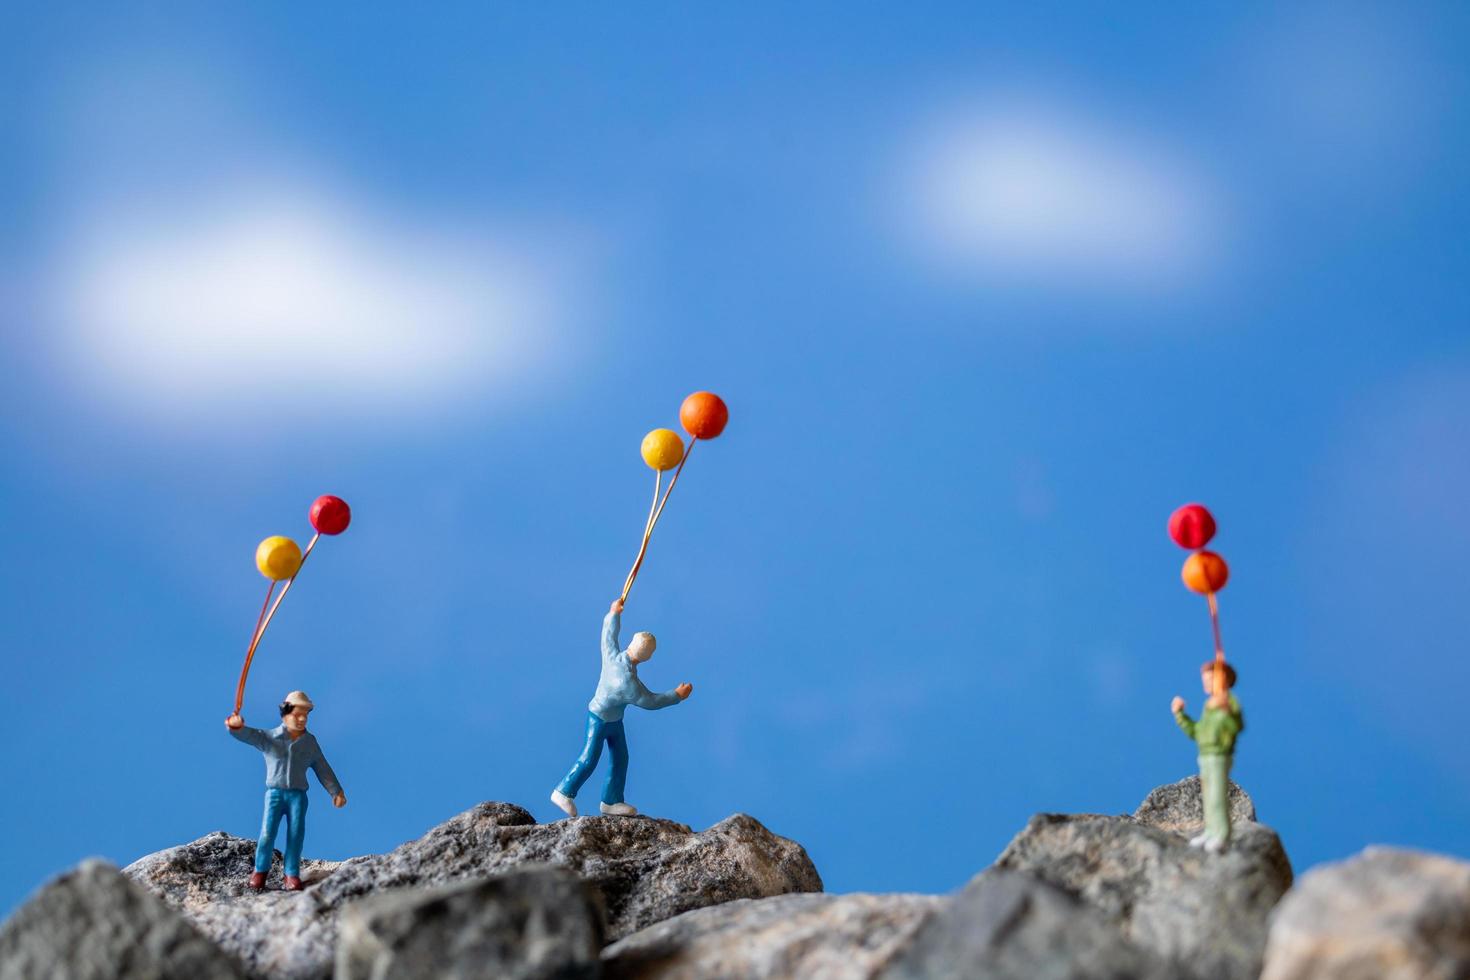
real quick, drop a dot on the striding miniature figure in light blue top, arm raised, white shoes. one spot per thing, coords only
(618, 688)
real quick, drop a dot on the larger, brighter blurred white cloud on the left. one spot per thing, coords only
(249, 295)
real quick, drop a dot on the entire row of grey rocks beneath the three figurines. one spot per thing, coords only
(492, 893)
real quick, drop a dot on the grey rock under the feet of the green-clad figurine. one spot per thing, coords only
(1206, 915)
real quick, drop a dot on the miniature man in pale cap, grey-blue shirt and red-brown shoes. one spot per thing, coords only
(290, 750)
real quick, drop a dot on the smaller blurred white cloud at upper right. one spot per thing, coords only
(1022, 192)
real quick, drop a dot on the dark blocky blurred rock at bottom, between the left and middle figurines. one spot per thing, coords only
(530, 925)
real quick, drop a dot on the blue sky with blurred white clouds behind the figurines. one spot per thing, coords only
(989, 292)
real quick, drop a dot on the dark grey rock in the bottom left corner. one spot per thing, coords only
(95, 925)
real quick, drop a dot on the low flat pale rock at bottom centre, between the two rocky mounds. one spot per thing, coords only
(811, 937)
